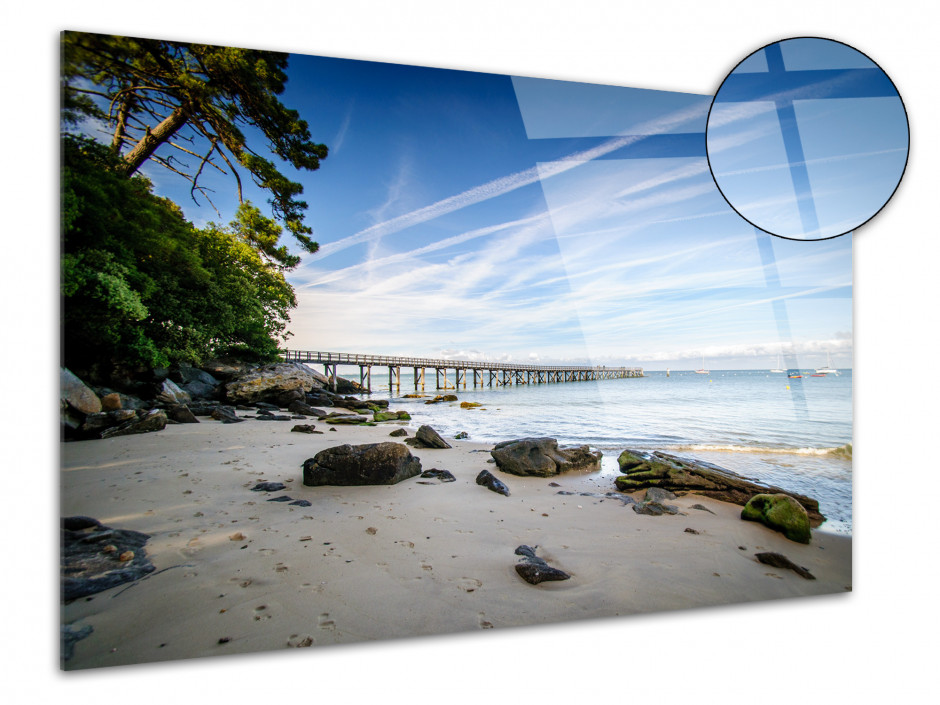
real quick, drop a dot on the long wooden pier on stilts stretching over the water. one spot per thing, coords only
(492, 374)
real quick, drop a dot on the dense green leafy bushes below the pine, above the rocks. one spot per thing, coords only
(142, 286)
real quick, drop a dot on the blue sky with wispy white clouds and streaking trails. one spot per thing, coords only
(481, 216)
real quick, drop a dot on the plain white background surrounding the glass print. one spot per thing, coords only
(878, 642)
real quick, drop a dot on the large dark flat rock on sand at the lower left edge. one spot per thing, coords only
(88, 569)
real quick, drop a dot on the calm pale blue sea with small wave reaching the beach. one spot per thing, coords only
(795, 433)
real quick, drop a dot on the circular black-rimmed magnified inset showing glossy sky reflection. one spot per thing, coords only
(807, 138)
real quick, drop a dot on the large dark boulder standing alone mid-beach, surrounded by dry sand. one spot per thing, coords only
(370, 464)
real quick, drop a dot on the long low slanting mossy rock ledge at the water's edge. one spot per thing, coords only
(643, 470)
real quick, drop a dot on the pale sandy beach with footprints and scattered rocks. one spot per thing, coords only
(236, 573)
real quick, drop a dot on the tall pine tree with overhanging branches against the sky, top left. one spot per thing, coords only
(184, 106)
